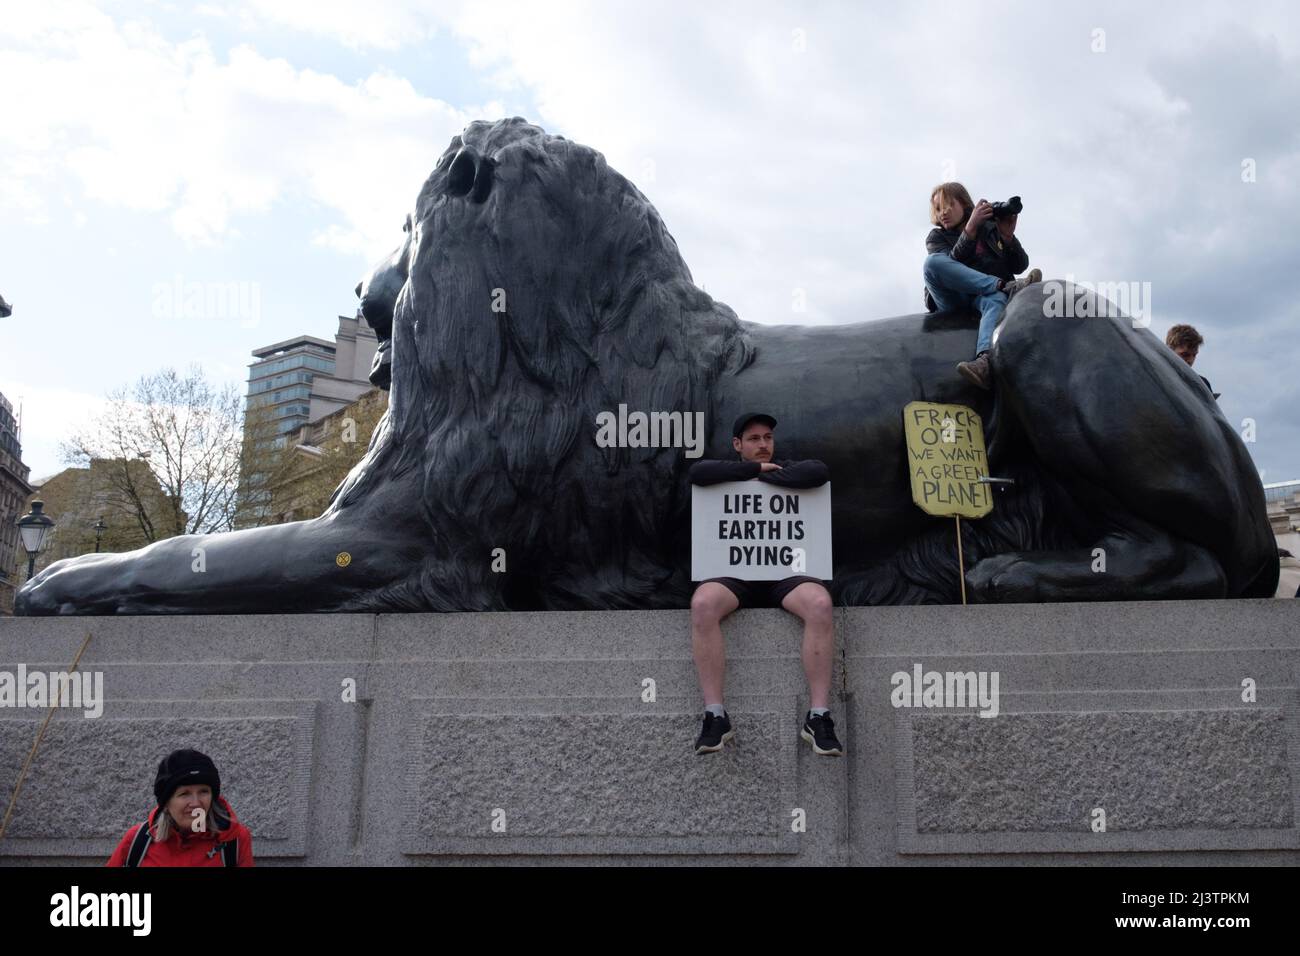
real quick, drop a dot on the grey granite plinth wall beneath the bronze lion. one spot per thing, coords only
(569, 737)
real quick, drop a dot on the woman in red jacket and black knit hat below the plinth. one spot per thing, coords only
(193, 824)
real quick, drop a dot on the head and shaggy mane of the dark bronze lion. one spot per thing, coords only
(536, 288)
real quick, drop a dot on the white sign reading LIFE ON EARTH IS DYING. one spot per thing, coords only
(760, 533)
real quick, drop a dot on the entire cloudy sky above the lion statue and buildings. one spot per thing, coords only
(272, 150)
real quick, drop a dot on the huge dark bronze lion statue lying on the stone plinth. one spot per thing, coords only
(536, 288)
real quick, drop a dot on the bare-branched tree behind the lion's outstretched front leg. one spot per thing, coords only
(189, 434)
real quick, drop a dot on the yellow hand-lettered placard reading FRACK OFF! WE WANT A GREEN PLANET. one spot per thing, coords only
(946, 460)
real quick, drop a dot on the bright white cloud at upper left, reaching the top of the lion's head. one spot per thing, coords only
(149, 126)
